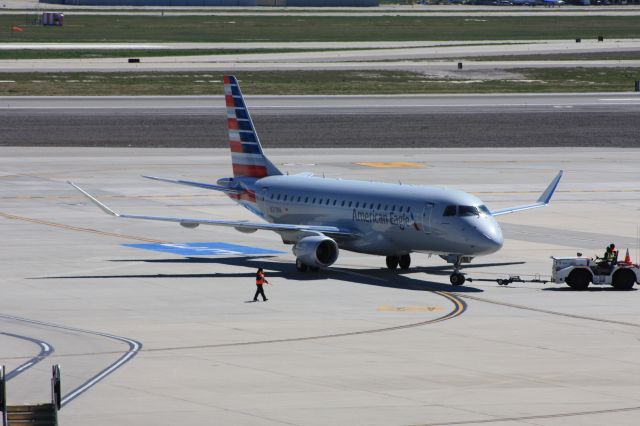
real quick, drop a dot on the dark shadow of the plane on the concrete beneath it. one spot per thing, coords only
(380, 277)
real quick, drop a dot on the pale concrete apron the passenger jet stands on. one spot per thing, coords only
(355, 344)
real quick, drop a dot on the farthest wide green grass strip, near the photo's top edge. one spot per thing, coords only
(86, 28)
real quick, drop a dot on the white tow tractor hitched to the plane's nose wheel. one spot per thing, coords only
(579, 272)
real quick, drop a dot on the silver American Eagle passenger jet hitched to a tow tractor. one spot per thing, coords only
(320, 216)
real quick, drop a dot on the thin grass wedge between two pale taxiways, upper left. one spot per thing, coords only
(116, 53)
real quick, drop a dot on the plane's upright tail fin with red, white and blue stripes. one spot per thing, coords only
(246, 152)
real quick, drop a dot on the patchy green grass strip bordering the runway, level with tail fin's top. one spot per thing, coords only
(313, 82)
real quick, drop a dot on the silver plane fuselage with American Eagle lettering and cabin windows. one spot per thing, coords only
(392, 219)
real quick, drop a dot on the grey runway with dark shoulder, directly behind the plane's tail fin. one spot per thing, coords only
(601, 119)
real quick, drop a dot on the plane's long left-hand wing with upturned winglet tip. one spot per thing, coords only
(238, 224)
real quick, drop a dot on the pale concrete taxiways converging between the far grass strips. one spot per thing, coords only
(412, 56)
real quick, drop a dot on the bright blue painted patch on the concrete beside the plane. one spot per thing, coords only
(203, 249)
